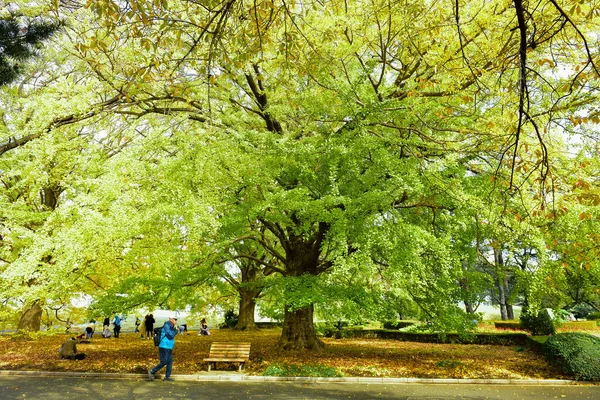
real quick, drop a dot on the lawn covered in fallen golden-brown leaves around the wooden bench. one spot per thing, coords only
(353, 357)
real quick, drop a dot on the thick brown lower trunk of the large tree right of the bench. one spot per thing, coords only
(299, 330)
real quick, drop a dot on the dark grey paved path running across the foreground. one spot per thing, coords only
(90, 386)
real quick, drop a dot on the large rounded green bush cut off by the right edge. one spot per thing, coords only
(576, 353)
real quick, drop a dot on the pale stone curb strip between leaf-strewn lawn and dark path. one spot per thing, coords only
(240, 377)
